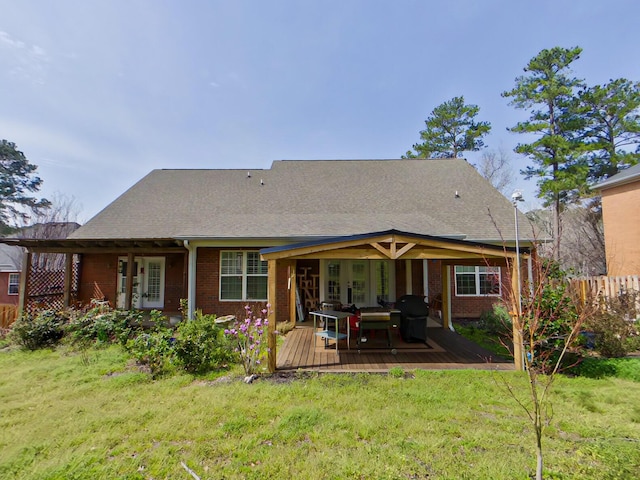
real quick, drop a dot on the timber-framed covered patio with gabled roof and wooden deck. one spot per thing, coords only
(304, 350)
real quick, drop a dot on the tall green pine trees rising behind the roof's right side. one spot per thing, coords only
(581, 134)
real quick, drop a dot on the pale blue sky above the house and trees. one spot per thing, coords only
(98, 93)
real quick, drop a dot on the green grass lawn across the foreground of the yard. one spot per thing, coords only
(66, 415)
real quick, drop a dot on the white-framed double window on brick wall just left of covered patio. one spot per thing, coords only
(243, 276)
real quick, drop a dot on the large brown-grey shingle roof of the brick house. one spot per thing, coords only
(297, 199)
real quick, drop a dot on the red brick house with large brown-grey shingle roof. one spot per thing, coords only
(350, 231)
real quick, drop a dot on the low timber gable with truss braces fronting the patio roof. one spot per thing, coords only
(390, 244)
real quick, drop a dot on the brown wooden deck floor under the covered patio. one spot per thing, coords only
(302, 350)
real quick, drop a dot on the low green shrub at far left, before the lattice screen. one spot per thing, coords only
(44, 329)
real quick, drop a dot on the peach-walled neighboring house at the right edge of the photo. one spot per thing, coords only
(621, 219)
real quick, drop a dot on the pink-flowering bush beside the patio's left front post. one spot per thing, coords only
(248, 335)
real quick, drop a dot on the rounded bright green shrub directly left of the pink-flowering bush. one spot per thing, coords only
(201, 345)
